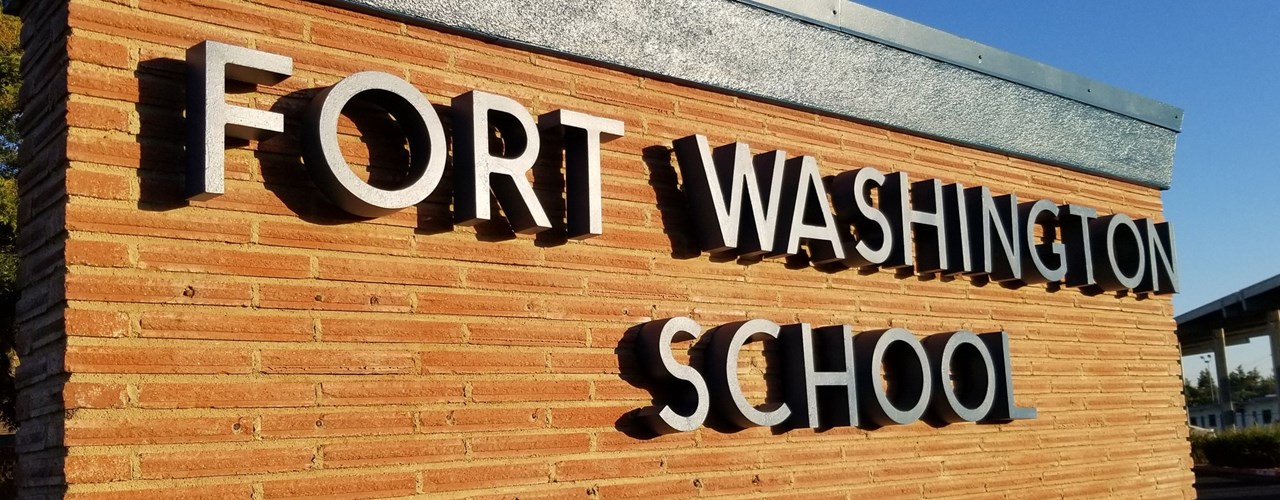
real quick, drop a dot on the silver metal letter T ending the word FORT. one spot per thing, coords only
(583, 137)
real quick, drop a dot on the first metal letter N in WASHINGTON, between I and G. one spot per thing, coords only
(995, 221)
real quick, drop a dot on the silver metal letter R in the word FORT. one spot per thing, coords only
(478, 171)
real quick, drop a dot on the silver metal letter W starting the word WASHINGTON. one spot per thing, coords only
(715, 184)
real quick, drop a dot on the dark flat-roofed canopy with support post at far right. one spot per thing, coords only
(1233, 320)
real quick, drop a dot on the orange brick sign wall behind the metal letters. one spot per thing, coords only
(264, 346)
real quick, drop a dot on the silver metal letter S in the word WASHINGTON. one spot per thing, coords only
(853, 203)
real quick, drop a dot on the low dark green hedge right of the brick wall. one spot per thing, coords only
(1258, 448)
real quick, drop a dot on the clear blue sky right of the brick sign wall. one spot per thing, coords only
(1220, 62)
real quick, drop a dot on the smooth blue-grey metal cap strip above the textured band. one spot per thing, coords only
(915, 38)
